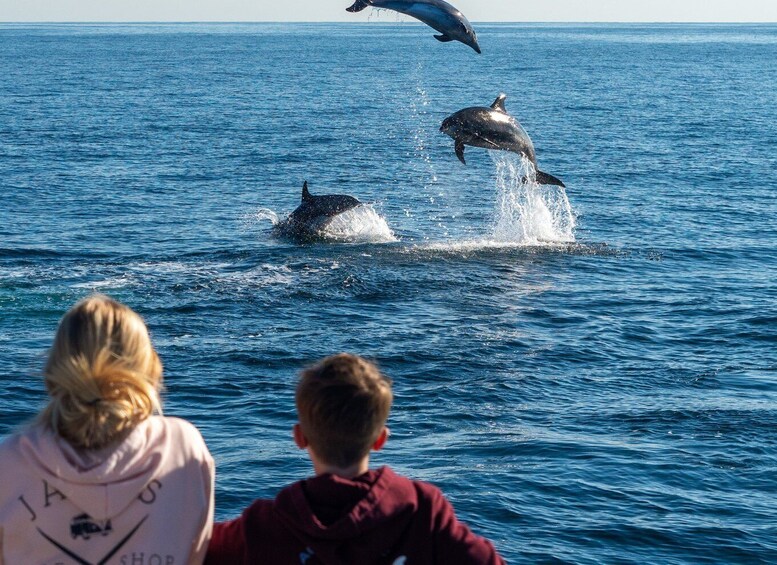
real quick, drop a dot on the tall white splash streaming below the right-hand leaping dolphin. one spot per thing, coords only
(526, 212)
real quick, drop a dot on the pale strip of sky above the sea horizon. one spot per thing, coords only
(334, 10)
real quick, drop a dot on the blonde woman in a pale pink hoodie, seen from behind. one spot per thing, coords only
(98, 477)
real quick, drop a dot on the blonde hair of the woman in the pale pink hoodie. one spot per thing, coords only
(102, 374)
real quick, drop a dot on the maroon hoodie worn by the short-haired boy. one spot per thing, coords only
(376, 518)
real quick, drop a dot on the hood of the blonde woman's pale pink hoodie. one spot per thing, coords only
(102, 483)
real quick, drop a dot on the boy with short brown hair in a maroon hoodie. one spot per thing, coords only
(347, 513)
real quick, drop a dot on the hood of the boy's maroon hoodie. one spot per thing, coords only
(327, 510)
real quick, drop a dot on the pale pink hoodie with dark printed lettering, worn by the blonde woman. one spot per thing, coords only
(148, 501)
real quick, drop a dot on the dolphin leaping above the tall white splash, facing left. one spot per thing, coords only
(493, 128)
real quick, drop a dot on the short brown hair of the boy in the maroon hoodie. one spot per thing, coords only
(343, 402)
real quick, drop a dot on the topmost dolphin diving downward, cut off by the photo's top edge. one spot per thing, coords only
(437, 14)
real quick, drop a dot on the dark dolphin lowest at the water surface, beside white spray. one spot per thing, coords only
(314, 213)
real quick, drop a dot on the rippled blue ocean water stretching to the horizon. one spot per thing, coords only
(589, 374)
